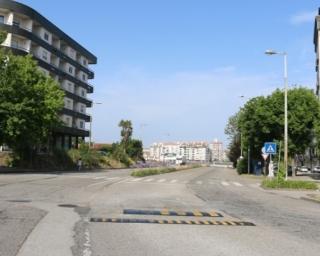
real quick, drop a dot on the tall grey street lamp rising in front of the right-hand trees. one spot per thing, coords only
(284, 54)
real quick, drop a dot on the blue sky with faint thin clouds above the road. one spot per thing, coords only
(177, 68)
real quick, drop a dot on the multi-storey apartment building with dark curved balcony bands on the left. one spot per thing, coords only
(58, 56)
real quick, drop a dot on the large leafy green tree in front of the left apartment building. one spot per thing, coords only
(29, 104)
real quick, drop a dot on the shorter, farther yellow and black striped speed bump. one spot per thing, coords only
(195, 213)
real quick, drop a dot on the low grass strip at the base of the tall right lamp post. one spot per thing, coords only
(289, 184)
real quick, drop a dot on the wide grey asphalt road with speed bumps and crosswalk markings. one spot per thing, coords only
(79, 214)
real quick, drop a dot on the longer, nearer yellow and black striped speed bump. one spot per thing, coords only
(184, 222)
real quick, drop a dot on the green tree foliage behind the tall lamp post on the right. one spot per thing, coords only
(262, 119)
